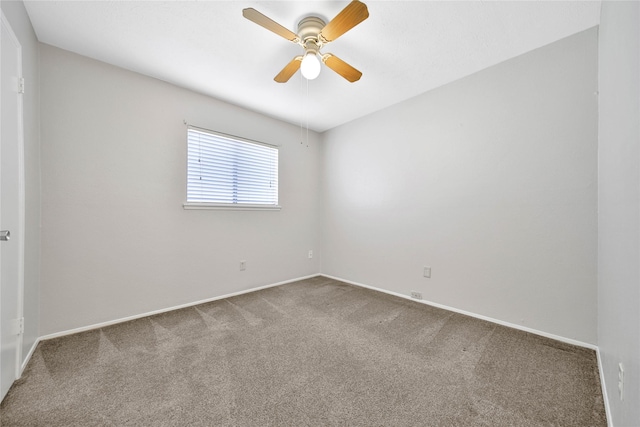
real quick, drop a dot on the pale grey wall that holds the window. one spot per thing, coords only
(116, 240)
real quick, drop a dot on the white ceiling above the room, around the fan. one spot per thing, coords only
(404, 48)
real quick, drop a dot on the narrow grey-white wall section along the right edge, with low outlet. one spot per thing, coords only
(619, 212)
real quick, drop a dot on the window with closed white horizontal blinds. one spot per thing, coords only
(225, 171)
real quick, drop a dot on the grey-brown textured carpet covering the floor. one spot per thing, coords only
(311, 353)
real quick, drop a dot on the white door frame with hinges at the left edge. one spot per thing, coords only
(20, 235)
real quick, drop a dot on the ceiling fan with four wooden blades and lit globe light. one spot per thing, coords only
(313, 34)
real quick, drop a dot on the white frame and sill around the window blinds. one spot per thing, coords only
(231, 206)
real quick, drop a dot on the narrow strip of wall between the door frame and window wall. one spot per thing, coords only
(21, 26)
